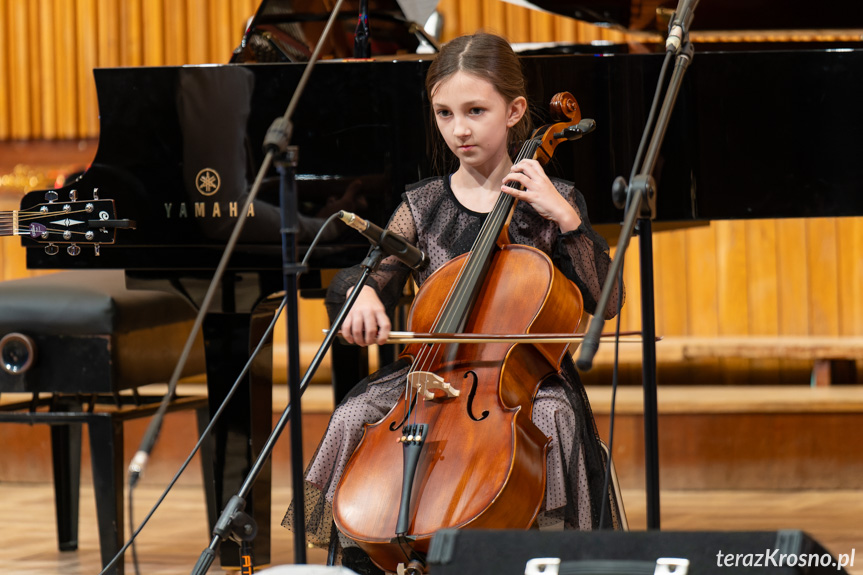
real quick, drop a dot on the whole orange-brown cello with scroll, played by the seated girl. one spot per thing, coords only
(471, 456)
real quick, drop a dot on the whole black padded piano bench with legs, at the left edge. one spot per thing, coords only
(83, 338)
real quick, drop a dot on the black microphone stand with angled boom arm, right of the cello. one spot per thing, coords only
(639, 196)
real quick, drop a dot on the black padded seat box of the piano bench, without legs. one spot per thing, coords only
(84, 332)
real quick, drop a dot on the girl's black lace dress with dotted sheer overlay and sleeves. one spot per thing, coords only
(431, 217)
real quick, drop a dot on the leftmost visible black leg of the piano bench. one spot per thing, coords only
(66, 459)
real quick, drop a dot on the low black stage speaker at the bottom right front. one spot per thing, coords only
(479, 552)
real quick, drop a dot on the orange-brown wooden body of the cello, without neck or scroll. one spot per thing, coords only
(483, 461)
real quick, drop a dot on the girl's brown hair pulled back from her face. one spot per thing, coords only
(489, 57)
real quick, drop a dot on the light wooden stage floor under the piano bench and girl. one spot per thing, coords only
(175, 537)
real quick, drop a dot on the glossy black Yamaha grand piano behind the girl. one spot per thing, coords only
(759, 131)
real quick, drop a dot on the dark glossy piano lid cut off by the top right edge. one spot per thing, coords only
(652, 15)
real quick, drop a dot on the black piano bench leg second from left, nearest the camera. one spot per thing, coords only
(106, 452)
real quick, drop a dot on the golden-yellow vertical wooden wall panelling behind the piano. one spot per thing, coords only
(786, 277)
